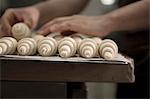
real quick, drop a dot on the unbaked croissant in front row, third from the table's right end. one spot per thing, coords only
(67, 47)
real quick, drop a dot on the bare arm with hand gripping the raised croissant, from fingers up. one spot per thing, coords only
(41, 12)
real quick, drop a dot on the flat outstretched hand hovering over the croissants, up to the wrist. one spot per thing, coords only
(91, 25)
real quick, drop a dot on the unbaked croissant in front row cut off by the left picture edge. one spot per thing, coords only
(7, 45)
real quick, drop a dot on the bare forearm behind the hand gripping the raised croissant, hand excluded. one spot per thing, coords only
(56, 8)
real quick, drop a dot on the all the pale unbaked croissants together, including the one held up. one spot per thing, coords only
(25, 43)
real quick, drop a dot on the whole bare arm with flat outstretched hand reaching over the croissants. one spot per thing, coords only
(129, 18)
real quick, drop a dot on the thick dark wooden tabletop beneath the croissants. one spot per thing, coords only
(62, 71)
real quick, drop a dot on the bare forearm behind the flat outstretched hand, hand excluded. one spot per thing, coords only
(129, 18)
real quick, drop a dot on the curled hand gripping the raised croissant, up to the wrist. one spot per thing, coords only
(29, 16)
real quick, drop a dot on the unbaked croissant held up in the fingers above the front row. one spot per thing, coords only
(20, 30)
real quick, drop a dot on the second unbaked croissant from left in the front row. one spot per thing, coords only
(27, 46)
